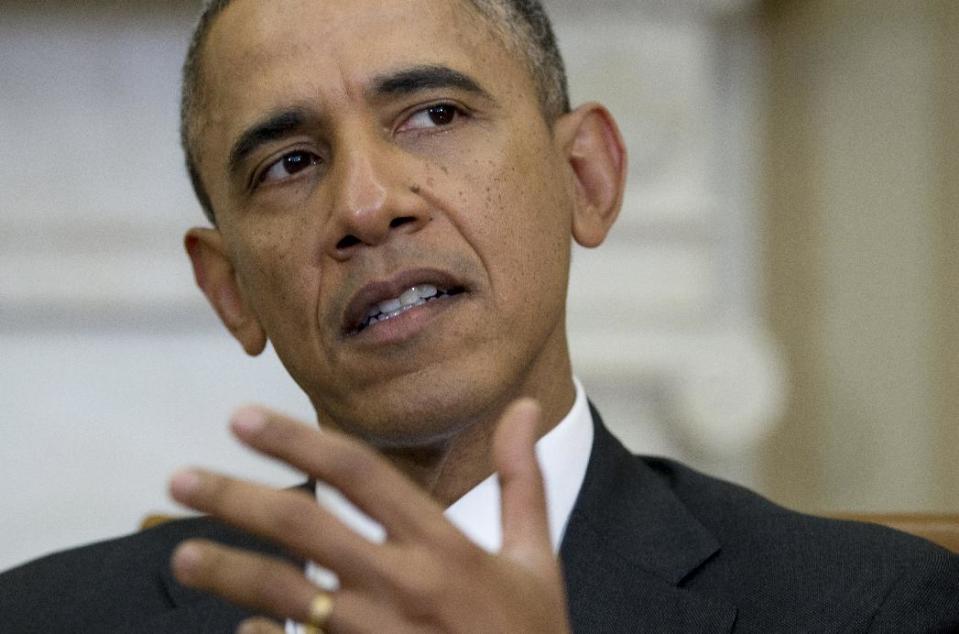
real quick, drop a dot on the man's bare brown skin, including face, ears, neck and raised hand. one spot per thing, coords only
(483, 194)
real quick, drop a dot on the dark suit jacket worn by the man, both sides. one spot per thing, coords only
(651, 546)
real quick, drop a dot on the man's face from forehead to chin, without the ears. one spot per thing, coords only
(356, 149)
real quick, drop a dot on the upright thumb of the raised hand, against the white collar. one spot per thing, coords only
(522, 497)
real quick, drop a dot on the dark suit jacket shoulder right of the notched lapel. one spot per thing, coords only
(861, 575)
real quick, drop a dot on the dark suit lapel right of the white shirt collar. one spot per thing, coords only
(629, 544)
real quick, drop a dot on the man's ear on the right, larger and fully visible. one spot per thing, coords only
(594, 149)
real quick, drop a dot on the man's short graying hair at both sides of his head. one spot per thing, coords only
(523, 25)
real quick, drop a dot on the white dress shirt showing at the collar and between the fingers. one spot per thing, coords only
(563, 454)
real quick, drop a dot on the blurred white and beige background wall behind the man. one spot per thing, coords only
(778, 304)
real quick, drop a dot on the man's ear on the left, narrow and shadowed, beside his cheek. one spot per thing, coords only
(216, 277)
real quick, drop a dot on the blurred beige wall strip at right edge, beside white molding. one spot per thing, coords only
(861, 234)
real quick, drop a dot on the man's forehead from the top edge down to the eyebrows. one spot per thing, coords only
(263, 56)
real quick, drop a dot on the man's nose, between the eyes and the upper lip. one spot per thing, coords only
(374, 198)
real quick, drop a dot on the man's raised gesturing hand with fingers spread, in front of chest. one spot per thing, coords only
(426, 577)
